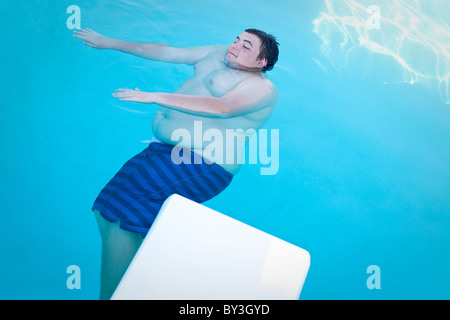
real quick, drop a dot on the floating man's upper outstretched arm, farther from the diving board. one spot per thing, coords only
(152, 51)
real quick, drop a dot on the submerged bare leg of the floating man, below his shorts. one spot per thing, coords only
(118, 249)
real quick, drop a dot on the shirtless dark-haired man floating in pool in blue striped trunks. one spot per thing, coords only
(229, 90)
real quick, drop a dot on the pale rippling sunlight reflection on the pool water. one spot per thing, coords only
(396, 35)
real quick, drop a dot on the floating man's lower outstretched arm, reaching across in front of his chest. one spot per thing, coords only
(250, 93)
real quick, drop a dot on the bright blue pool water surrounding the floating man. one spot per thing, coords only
(364, 168)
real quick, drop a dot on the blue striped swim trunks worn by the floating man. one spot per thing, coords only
(136, 193)
